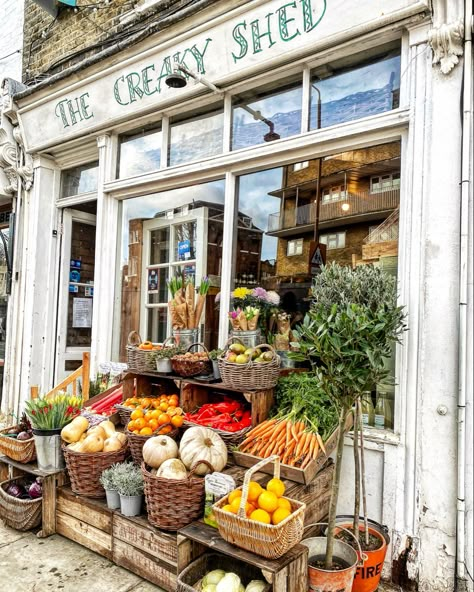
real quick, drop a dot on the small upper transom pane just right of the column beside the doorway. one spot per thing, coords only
(139, 152)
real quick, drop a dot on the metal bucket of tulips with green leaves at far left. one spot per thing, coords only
(48, 416)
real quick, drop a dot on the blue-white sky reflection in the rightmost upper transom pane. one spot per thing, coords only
(373, 76)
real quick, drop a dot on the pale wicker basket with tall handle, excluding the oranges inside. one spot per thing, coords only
(268, 540)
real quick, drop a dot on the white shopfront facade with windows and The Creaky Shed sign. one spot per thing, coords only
(135, 180)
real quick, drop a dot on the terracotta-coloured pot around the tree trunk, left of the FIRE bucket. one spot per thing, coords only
(321, 580)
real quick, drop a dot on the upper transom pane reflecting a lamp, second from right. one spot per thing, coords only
(265, 116)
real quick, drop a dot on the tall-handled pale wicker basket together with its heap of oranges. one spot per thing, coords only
(259, 520)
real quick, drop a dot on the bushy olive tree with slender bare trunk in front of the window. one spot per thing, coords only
(347, 336)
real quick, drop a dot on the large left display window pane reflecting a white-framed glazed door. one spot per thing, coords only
(174, 233)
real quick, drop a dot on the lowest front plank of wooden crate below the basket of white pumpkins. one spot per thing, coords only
(144, 565)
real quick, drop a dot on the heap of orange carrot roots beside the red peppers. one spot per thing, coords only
(295, 442)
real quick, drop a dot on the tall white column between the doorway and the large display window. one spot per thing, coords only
(105, 257)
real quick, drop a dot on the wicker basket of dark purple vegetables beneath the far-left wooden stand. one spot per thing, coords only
(21, 503)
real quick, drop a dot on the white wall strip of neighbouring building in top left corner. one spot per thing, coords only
(11, 27)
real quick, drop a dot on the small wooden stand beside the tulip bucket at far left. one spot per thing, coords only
(50, 480)
